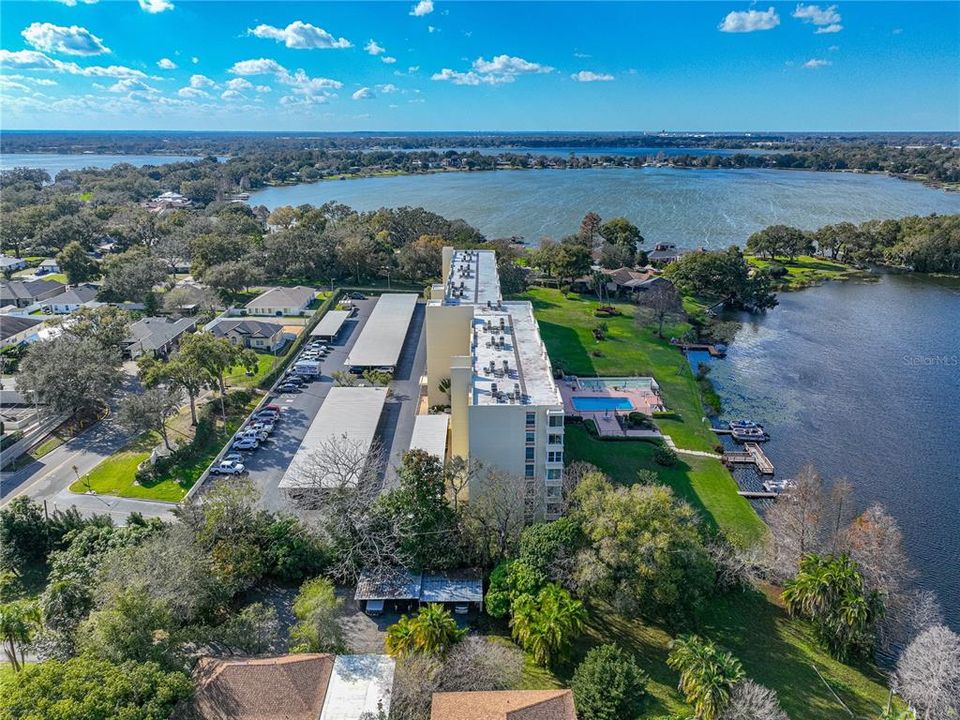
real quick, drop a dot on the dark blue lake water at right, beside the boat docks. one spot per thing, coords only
(863, 381)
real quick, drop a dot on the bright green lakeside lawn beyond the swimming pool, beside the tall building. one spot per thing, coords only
(566, 325)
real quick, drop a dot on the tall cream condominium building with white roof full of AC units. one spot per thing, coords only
(487, 362)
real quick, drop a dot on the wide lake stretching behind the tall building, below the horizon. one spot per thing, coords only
(692, 208)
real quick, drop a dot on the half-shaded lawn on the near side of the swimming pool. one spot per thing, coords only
(704, 483)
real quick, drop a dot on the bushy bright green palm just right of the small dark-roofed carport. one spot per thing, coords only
(546, 625)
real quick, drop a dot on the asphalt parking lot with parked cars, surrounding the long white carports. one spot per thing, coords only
(267, 464)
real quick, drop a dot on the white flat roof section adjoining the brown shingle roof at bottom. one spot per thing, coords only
(358, 684)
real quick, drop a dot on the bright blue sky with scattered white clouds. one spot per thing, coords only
(173, 64)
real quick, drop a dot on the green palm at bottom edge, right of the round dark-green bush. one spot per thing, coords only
(707, 674)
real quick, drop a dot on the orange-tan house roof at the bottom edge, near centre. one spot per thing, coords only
(504, 705)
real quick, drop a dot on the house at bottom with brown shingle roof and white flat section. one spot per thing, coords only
(308, 686)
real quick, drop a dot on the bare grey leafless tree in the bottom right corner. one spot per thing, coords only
(928, 674)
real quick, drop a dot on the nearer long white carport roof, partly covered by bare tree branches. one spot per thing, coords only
(348, 415)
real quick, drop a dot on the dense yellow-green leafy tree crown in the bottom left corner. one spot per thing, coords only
(85, 688)
